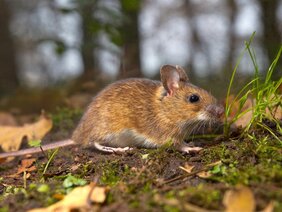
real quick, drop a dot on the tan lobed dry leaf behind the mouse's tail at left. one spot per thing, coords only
(11, 137)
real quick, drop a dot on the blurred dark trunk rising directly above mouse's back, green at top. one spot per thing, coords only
(130, 61)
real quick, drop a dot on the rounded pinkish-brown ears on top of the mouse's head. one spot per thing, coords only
(171, 76)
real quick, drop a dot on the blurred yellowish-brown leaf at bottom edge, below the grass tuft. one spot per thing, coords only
(239, 199)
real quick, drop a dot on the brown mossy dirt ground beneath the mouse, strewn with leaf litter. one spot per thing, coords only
(153, 180)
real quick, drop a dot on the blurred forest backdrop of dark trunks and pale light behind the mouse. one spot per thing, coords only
(55, 48)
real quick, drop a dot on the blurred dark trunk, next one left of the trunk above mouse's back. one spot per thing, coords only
(88, 41)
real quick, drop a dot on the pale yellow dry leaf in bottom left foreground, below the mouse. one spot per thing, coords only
(77, 199)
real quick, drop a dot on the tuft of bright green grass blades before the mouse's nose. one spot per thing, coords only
(264, 91)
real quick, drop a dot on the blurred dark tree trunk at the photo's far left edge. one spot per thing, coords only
(8, 79)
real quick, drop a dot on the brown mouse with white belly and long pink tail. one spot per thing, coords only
(142, 113)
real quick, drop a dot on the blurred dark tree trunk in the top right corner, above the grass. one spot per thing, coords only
(272, 38)
